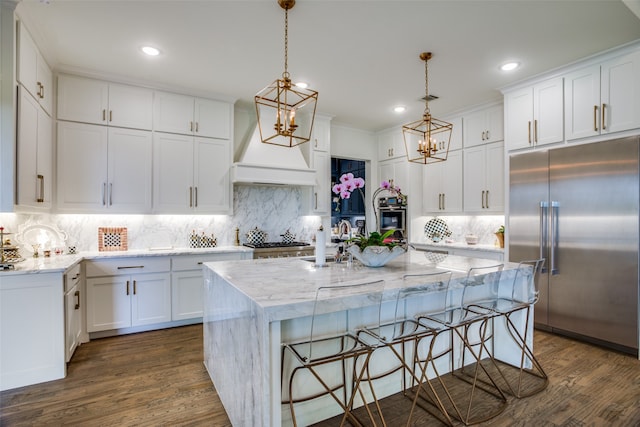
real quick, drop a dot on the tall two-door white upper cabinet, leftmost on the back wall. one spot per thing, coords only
(103, 170)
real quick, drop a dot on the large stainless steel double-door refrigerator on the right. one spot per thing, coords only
(577, 207)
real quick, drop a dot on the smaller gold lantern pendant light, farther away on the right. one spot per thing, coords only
(427, 140)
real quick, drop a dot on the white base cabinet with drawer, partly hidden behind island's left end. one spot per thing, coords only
(187, 284)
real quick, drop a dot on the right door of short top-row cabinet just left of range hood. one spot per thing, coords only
(212, 118)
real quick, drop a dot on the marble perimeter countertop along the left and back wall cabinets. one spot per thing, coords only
(60, 263)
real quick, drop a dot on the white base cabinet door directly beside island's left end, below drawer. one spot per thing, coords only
(187, 295)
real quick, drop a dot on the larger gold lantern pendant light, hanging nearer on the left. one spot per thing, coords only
(285, 112)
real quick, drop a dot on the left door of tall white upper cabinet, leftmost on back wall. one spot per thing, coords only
(82, 167)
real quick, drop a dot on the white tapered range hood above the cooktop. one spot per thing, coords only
(271, 165)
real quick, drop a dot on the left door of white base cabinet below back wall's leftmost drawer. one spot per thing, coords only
(108, 303)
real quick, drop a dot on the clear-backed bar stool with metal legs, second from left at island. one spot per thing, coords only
(399, 337)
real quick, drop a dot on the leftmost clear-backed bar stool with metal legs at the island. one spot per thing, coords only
(323, 349)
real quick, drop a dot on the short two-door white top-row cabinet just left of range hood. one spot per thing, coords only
(188, 115)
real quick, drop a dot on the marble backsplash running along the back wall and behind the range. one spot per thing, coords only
(272, 209)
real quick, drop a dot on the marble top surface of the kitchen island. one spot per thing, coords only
(282, 287)
